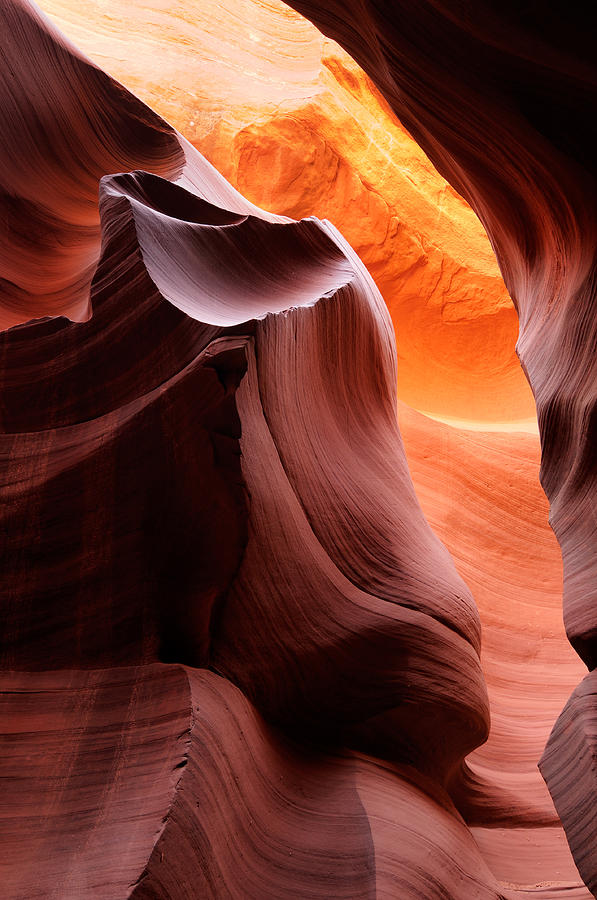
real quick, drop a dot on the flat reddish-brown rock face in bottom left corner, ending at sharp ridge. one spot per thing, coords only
(90, 764)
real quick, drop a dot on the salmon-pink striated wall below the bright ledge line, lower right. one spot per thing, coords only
(481, 494)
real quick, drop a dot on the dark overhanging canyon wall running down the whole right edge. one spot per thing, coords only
(499, 102)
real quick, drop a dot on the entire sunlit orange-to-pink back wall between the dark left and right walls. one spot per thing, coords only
(296, 126)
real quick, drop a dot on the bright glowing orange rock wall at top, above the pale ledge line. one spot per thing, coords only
(293, 123)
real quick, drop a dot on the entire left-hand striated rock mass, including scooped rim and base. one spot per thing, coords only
(207, 470)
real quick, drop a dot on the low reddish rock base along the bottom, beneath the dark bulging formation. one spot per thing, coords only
(174, 773)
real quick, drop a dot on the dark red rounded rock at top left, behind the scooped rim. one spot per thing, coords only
(56, 145)
